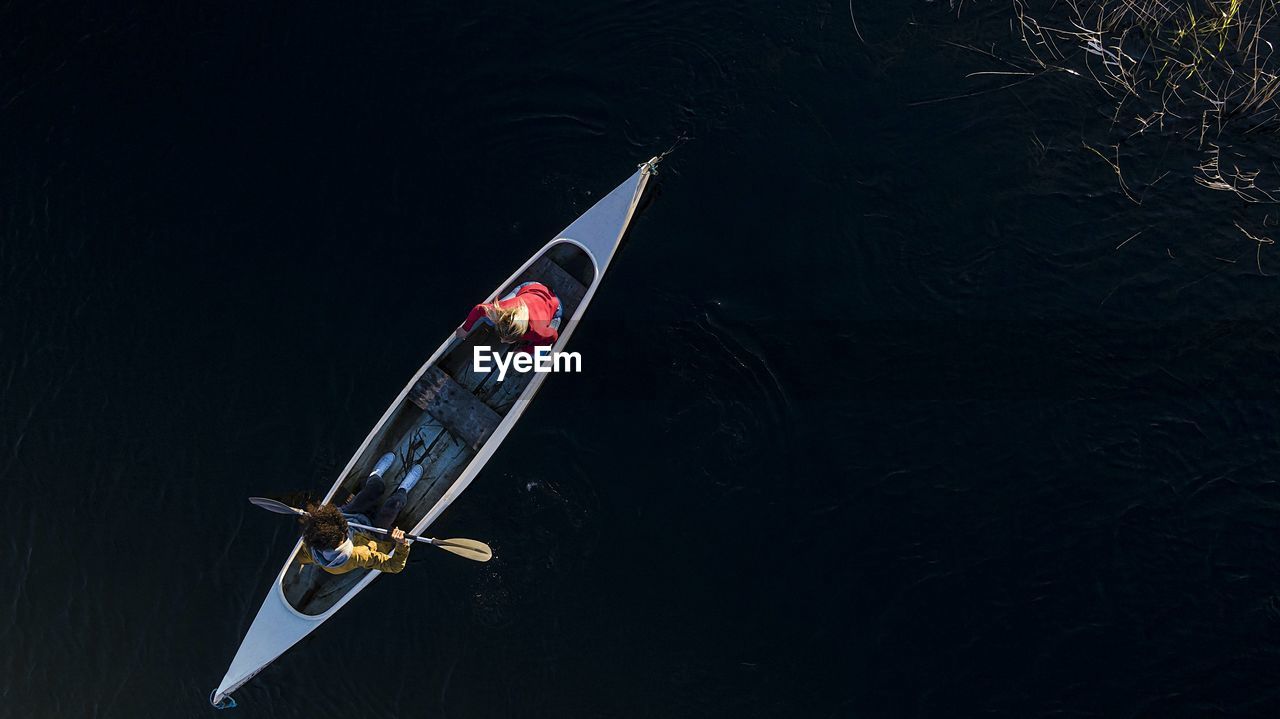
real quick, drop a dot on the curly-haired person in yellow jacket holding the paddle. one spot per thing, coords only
(330, 542)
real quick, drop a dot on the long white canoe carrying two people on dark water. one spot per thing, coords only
(449, 419)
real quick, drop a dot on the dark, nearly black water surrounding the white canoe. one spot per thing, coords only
(877, 422)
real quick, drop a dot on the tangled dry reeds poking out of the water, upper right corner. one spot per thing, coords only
(1201, 72)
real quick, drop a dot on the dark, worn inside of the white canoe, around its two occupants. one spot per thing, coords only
(449, 433)
